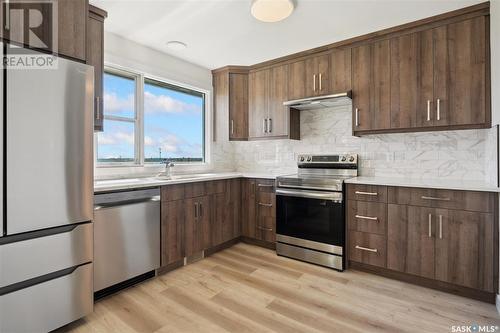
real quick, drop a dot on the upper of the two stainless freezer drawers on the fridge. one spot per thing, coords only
(24, 260)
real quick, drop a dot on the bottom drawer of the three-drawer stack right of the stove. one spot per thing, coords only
(367, 248)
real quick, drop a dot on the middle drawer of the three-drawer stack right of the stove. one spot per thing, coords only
(367, 216)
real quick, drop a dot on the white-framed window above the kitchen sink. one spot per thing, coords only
(148, 121)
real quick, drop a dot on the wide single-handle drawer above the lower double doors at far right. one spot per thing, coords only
(449, 199)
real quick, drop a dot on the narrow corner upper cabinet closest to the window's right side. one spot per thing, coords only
(231, 100)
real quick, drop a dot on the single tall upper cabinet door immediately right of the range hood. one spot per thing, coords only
(371, 86)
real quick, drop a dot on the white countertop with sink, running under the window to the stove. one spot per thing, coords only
(138, 182)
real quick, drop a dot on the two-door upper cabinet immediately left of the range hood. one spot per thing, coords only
(268, 117)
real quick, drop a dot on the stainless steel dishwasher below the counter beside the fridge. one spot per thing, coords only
(126, 237)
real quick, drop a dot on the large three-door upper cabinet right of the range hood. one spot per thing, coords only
(438, 80)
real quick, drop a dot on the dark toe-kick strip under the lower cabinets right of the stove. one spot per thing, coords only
(480, 295)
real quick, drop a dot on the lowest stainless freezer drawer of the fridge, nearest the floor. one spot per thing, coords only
(49, 305)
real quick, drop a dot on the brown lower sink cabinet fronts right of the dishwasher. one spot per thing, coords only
(198, 216)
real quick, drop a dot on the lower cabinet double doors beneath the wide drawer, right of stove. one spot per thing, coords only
(447, 245)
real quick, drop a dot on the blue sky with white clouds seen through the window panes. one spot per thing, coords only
(173, 121)
